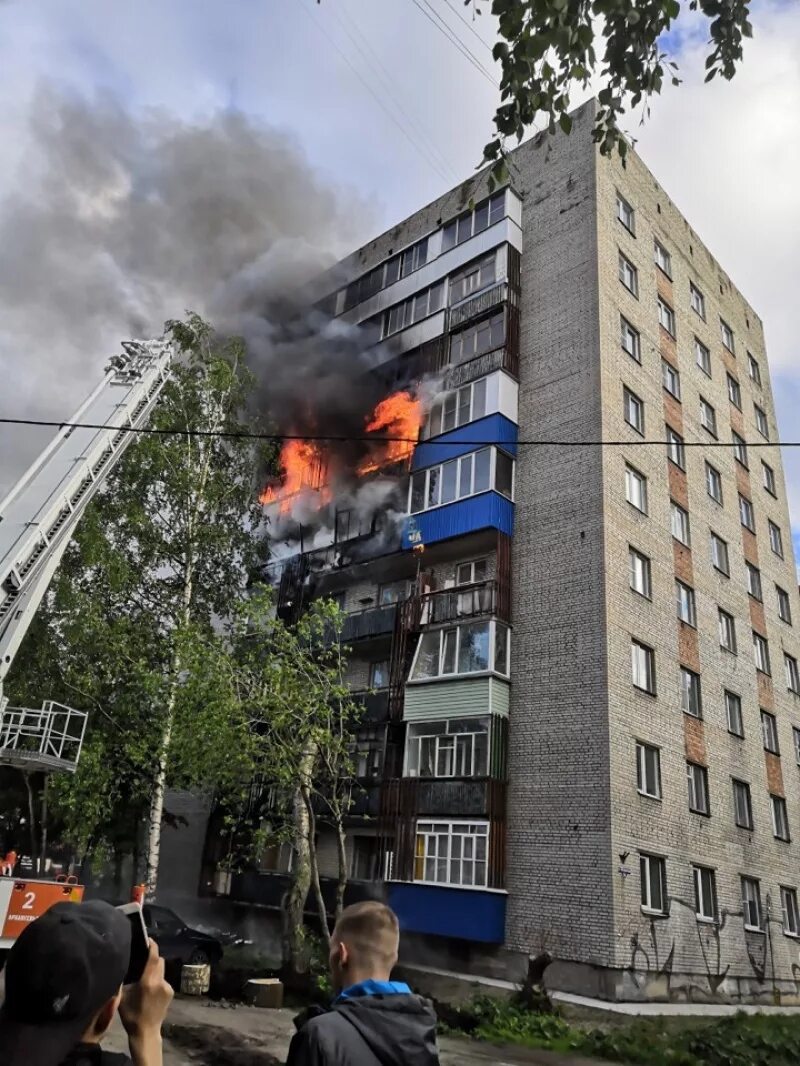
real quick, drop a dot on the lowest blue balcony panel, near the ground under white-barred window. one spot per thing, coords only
(468, 914)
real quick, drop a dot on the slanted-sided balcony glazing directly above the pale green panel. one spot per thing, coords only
(467, 649)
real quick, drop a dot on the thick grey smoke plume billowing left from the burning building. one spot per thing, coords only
(122, 221)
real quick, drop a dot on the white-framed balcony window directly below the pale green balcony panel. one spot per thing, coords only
(456, 748)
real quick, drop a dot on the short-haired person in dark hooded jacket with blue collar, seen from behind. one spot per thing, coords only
(373, 1022)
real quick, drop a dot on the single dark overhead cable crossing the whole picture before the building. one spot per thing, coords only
(380, 439)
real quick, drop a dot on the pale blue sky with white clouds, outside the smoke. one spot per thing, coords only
(343, 78)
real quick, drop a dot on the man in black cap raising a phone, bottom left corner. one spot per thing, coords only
(65, 984)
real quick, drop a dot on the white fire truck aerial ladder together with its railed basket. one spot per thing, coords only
(38, 520)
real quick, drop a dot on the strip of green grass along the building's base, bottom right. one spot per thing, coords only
(739, 1041)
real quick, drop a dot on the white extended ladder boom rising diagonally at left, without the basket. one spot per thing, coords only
(38, 519)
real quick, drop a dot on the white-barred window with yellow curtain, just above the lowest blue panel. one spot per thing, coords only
(452, 853)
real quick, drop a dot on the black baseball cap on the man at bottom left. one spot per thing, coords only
(61, 971)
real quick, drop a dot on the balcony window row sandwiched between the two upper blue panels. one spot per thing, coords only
(457, 479)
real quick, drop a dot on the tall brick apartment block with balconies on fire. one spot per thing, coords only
(580, 653)
